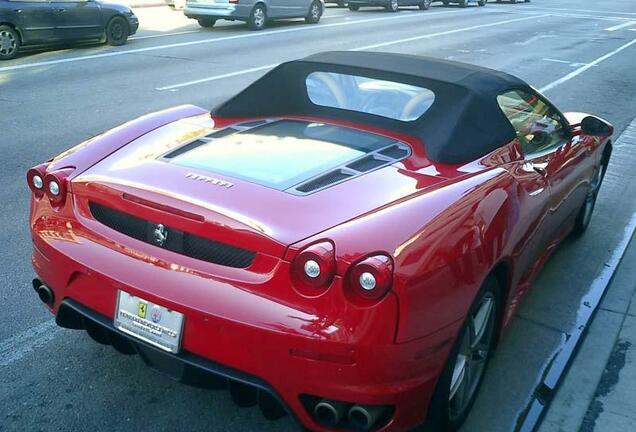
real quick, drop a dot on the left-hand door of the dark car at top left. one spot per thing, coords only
(35, 19)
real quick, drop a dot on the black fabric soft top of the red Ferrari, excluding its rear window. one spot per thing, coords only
(464, 123)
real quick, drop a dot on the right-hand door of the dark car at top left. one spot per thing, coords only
(78, 19)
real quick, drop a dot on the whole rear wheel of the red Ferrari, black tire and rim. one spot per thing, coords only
(470, 351)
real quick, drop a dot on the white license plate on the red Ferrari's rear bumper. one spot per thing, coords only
(150, 322)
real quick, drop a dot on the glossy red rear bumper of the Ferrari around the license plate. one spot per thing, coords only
(238, 335)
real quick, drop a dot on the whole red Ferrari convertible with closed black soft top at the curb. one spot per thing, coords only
(342, 241)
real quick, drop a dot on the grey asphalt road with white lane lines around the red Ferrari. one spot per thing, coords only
(582, 54)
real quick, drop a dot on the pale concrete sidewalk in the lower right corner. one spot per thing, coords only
(598, 393)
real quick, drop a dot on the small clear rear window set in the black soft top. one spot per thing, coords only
(389, 99)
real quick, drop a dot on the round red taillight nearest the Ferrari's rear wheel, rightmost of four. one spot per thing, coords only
(371, 278)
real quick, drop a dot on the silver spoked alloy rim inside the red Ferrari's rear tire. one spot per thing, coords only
(472, 356)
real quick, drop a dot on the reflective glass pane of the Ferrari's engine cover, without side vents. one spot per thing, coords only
(280, 154)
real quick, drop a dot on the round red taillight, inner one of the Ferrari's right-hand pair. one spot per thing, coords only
(314, 267)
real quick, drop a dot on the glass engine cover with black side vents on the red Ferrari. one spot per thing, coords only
(296, 156)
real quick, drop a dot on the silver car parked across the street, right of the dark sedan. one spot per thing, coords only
(255, 12)
